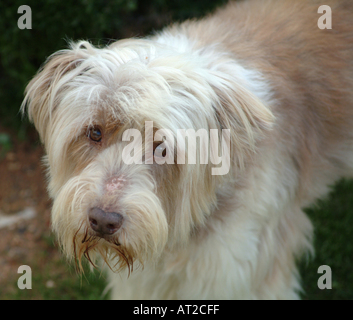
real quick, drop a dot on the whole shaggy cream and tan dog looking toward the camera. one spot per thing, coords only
(261, 71)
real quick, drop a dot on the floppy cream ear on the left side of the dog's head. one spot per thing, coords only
(41, 94)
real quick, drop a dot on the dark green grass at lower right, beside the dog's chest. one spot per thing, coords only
(333, 241)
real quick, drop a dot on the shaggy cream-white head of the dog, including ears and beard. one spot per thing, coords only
(83, 103)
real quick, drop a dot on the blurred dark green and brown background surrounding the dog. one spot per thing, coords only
(25, 236)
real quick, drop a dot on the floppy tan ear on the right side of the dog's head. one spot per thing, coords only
(240, 109)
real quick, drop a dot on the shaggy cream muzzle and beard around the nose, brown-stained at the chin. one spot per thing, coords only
(141, 238)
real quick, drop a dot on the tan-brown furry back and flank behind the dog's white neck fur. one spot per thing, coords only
(310, 71)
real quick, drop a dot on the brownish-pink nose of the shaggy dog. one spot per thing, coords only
(104, 223)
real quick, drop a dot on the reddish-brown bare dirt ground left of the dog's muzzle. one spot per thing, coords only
(22, 185)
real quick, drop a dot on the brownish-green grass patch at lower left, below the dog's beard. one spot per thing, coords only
(53, 278)
